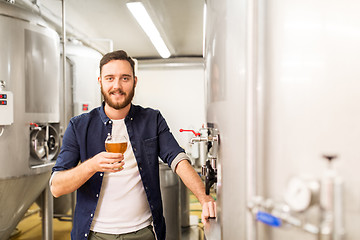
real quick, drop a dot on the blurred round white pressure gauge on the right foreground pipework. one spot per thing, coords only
(301, 193)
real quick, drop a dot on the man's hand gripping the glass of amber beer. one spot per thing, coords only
(106, 162)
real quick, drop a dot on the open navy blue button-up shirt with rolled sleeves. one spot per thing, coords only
(150, 138)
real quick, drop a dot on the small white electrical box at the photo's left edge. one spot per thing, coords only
(6, 108)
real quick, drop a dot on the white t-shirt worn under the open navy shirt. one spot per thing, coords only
(123, 205)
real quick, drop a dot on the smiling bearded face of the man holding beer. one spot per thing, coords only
(117, 83)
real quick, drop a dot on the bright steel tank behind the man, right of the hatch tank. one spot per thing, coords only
(81, 94)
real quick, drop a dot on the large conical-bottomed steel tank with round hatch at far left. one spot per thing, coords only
(29, 113)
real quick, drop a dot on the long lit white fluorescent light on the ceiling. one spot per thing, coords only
(143, 18)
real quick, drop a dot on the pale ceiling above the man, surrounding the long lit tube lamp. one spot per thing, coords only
(99, 22)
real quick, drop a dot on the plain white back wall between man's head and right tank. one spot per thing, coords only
(177, 90)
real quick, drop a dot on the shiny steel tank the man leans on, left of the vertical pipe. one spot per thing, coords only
(225, 76)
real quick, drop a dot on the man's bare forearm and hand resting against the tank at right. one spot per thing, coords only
(193, 181)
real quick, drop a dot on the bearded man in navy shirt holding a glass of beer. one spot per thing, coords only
(118, 195)
